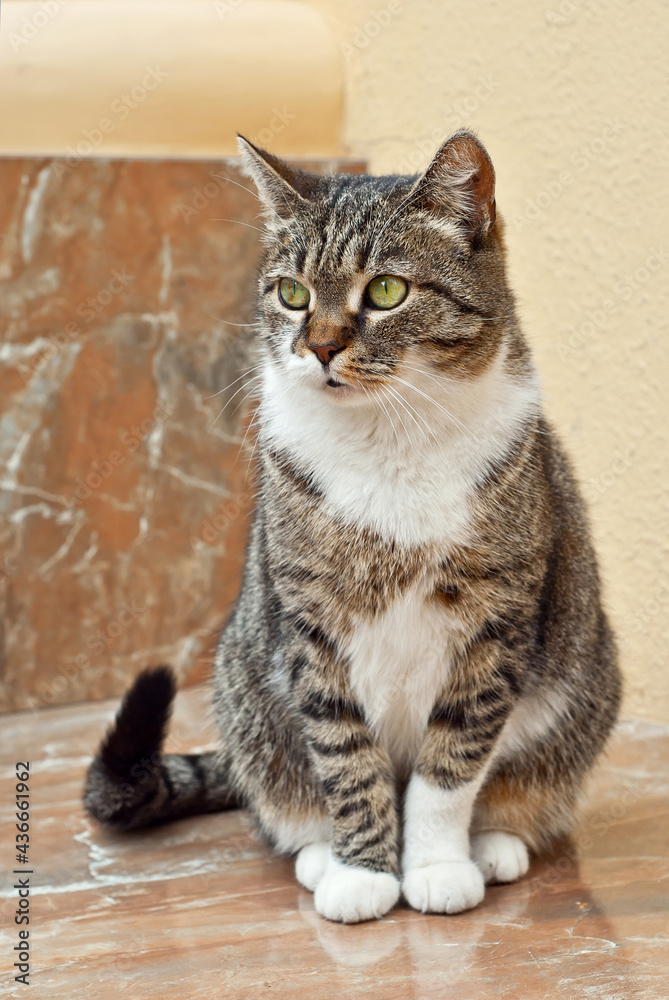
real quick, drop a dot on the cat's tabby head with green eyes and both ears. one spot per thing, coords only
(367, 282)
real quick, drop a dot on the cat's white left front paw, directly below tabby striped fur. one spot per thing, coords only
(350, 894)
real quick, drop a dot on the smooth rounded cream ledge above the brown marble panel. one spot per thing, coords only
(176, 78)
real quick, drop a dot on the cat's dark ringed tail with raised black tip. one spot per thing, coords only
(131, 783)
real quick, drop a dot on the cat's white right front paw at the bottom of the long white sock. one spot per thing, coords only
(447, 887)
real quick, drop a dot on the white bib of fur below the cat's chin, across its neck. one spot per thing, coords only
(407, 473)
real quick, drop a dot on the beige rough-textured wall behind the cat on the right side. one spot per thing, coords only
(571, 98)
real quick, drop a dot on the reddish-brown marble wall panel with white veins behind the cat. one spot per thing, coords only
(125, 493)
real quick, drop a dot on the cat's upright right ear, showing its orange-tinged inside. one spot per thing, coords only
(460, 182)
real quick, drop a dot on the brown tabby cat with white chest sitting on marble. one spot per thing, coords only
(418, 673)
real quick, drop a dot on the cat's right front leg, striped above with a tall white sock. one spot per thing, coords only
(439, 875)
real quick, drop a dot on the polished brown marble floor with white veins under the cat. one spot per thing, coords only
(202, 909)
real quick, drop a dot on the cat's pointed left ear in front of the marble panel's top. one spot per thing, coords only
(283, 189)
